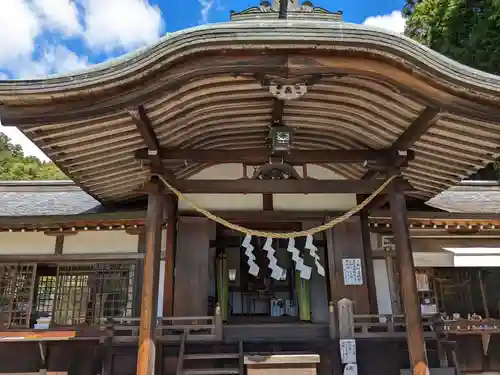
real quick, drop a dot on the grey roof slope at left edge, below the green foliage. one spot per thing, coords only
(45, 198)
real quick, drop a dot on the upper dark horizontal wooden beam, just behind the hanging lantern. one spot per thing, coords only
(261, 155)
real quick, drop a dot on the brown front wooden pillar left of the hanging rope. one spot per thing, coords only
(149, 301)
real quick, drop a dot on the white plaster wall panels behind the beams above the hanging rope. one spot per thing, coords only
(299, 202)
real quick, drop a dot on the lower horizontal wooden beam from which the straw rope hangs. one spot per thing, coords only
(308, 186)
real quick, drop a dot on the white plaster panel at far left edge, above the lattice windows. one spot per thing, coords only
(26, 243)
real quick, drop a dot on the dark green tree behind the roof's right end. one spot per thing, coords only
(467, 31)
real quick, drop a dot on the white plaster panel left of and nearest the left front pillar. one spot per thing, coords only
(101, 242)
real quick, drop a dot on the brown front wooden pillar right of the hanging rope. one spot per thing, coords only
(413, 317)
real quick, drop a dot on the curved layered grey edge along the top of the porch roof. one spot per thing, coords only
(270, 34)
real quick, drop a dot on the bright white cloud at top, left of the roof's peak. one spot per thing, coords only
(121, 24)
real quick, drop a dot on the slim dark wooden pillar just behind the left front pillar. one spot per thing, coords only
(170, 249)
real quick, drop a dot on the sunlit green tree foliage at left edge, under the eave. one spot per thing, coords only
(14, 165)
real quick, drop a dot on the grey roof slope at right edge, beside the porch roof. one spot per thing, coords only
(469, 196)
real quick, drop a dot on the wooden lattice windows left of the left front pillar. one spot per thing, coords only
(66, 293)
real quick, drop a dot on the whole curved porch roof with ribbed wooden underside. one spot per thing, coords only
(201, 88)
